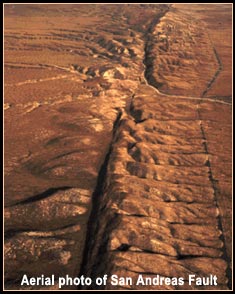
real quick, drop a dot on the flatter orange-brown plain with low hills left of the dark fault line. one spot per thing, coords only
(65, 85)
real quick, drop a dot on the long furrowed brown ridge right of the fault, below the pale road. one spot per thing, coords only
(159, 211)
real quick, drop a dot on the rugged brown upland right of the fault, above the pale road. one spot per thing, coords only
(182, 53)
